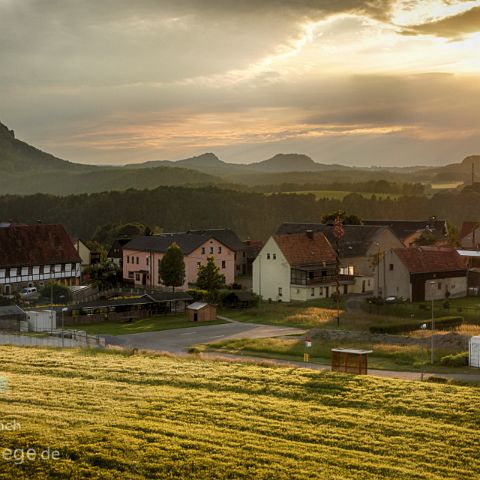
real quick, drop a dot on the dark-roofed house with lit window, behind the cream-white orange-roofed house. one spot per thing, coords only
(360, 248)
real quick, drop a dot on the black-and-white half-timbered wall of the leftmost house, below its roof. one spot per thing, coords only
(14, 279)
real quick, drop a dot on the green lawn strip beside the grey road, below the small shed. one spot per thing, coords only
(152, 324)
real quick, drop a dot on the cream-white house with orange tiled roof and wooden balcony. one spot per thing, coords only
(299, 266)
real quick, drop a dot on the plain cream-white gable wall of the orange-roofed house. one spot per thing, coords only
(271, 274)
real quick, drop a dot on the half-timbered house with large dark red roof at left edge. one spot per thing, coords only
(31, 255)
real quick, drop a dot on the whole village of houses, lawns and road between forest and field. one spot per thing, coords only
(396, 292)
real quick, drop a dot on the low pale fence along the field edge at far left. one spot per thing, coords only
(71, 339)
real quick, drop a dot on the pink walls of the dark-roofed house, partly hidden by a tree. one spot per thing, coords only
(134, 260)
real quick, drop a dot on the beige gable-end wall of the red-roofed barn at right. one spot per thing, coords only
(393, 282)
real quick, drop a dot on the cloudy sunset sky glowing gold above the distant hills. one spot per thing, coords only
(356, 82)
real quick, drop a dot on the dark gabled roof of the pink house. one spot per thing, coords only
(187, 242)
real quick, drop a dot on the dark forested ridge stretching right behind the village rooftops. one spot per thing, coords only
(251, 215)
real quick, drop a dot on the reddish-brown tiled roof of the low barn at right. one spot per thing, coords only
(430, 259)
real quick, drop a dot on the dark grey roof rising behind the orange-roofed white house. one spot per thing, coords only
(355, 243)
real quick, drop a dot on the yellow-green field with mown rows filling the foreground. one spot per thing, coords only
(116, 416)
